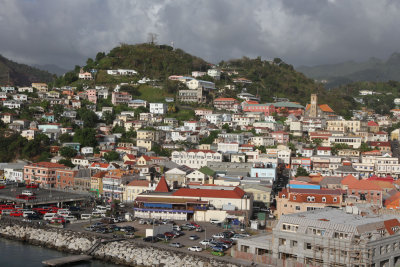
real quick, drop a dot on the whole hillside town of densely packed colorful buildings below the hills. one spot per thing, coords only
(301, 184)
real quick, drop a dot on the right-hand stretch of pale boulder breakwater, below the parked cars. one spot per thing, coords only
(133, 254)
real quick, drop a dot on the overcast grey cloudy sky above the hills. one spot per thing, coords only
(301, 32)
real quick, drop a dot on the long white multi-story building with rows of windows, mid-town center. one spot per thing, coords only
(195, 158)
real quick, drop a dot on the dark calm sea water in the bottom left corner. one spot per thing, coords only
(18, 254)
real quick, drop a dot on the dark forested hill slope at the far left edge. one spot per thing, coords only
(21, 74)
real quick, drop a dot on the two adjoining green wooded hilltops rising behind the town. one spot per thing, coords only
(269, 78)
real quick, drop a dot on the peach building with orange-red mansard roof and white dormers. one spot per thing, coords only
(292, 200)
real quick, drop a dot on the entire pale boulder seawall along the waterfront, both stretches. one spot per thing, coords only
(120, 252)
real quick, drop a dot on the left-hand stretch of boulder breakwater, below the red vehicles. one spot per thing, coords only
(58, 239)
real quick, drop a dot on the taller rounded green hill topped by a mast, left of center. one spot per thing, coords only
(154, 61)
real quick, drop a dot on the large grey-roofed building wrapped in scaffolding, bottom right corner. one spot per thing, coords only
(327, 237)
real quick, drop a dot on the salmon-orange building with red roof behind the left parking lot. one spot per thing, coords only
(43, 173)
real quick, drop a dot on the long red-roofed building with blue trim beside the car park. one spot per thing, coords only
(194, 202)
